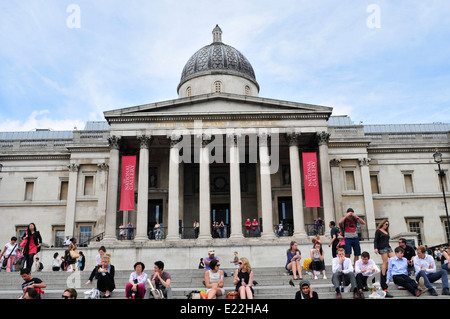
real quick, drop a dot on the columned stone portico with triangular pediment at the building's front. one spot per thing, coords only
(213, 165)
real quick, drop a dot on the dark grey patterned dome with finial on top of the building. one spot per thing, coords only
(218, 58)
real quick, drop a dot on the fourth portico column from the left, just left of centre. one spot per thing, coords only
(204, 190)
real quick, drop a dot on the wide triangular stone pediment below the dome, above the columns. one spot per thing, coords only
(218, 104)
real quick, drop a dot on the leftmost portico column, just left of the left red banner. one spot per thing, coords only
(113, 187)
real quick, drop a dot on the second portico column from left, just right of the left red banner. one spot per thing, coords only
(142, 204)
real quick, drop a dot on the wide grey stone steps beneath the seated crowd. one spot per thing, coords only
(272, 283)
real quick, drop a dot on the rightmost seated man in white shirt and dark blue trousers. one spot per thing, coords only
(425, 268)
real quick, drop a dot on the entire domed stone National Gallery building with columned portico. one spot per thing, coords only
(201, 165)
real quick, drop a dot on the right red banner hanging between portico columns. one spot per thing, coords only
(312, 194)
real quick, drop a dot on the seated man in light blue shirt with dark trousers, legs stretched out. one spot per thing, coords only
(398, 270)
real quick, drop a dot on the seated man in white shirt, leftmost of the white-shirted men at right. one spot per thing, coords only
(343, 270)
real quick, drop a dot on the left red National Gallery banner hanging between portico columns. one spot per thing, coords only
(127, 190)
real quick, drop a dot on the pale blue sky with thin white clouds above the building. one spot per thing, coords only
(380, 62)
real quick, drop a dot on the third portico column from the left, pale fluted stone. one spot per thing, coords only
(174, 189)
